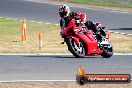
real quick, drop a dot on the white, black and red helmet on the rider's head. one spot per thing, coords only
(64, 11)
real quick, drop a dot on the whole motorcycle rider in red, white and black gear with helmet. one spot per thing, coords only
(80, 19)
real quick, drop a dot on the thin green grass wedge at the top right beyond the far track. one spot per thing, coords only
(109, 3)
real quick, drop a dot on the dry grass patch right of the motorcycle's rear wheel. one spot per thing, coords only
(121, 43)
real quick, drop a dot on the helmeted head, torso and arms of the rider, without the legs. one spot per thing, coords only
(64, 12)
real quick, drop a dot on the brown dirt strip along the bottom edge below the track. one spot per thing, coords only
(61, 85)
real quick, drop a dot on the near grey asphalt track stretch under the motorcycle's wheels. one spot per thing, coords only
(57, 67)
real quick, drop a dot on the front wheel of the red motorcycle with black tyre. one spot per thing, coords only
(77, 50)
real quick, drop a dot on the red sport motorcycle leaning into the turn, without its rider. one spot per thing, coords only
(85, 43)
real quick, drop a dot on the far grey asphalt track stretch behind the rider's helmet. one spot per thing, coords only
(114, 20)
